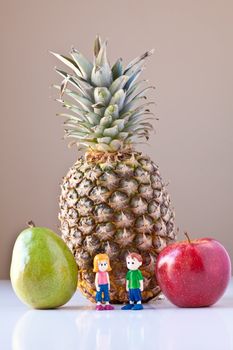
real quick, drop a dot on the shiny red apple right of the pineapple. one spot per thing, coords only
(193, 273)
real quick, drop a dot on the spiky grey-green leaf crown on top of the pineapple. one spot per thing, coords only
(107, 112)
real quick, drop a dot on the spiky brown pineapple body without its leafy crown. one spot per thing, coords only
(116, 206)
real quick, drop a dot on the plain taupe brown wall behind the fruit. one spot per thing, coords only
(192, 69)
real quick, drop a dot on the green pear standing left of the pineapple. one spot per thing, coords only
(43, 270)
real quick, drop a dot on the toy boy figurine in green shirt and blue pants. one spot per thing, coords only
(134, 282)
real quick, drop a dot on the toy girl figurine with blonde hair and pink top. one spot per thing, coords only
(102, 282)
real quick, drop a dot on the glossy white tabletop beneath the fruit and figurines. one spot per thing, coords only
(160, 326)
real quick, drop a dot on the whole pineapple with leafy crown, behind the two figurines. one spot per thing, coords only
(113, 199)
